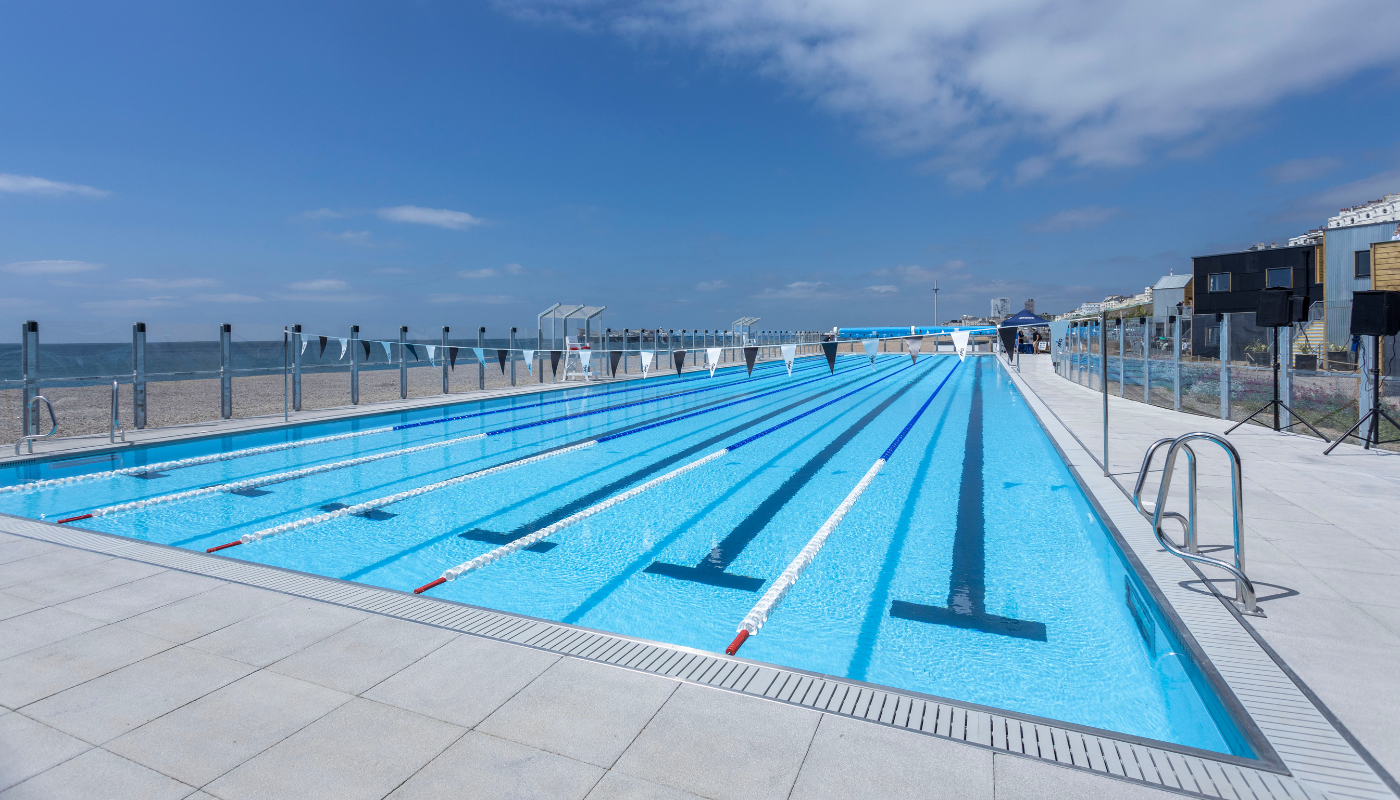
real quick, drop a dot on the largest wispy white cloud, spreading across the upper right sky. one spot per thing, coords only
(1091, 82)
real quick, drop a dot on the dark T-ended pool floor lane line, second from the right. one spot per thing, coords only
(713, 568)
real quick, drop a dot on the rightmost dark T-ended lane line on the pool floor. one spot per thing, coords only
(967, 606)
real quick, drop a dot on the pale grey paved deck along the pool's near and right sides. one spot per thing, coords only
(125, 677)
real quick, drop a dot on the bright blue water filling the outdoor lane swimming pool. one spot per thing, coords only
(974, 568)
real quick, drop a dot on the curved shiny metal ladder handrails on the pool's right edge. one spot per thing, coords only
(1244, 588)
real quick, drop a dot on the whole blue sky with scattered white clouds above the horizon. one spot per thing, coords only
(684, 163)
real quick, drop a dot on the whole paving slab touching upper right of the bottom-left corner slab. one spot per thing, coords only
(216, 733)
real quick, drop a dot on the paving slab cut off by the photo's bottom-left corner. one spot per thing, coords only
(99, 774)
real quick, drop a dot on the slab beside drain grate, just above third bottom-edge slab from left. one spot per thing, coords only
(582, 710)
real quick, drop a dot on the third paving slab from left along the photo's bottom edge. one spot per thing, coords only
(482, 767)
